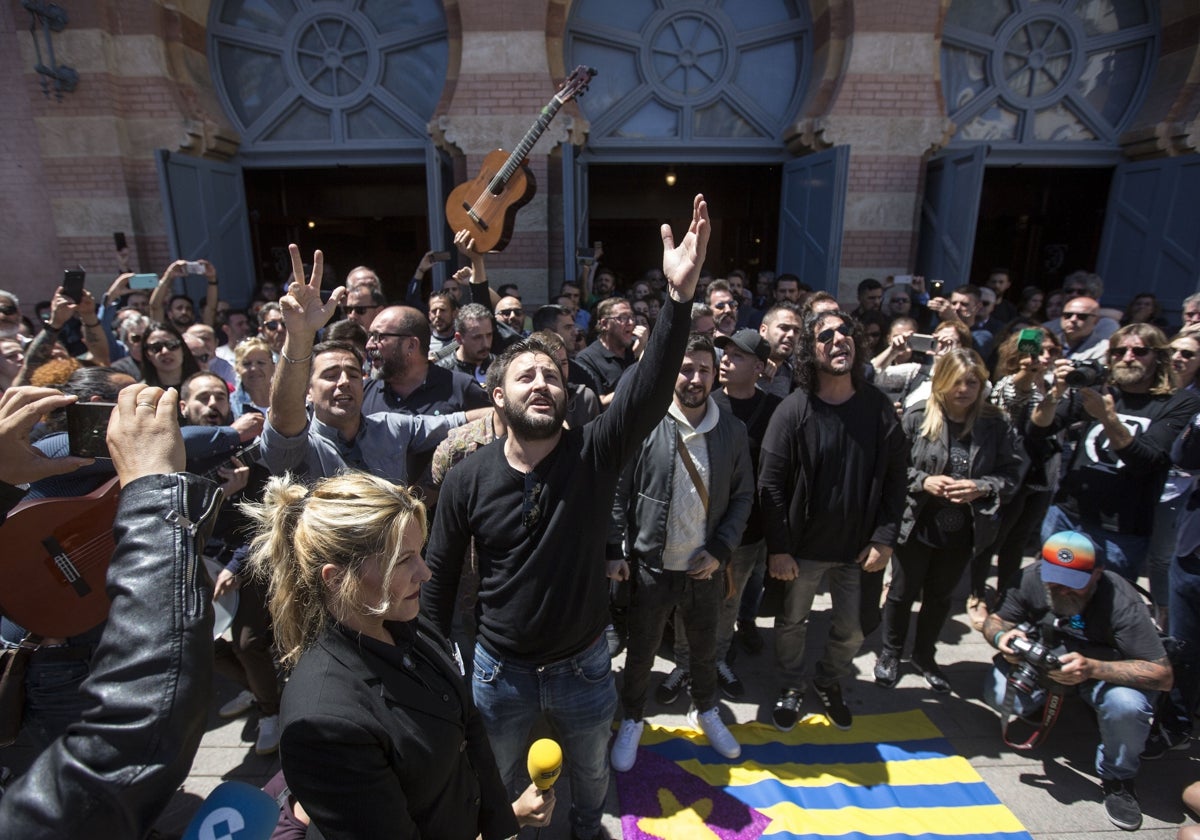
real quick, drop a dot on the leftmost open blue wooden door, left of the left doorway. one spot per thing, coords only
(205, 205)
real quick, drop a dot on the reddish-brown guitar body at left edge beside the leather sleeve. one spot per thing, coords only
(56, 560)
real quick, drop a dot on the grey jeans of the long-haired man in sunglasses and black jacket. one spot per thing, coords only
(793, 625)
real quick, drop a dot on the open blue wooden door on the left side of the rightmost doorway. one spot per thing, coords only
(949, 214)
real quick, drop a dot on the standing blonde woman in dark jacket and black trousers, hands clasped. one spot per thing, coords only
(962, 465)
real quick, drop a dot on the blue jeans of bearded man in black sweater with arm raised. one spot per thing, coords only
(579, 699)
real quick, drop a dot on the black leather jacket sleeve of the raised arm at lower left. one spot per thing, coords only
(151, 683)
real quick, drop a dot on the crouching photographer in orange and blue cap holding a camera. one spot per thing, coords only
(1071, 626)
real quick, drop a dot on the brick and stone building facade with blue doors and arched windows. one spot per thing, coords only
(837, 140)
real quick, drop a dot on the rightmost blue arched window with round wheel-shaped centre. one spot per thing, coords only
(1057, 71)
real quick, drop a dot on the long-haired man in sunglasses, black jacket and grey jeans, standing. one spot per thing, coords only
(832, 482)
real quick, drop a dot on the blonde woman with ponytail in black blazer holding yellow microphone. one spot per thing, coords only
(380, 735)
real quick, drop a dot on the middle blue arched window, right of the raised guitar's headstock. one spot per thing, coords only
(680, 75)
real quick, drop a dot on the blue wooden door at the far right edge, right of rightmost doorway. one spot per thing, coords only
(1153, 232)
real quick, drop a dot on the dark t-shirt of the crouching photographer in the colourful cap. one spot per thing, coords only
(1115, 625)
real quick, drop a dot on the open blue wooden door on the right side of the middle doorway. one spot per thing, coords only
(813, 203)
